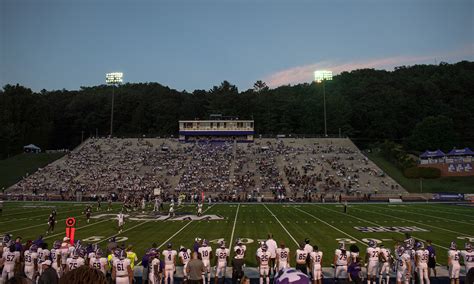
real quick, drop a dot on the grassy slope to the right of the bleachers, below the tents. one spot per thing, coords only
(444, 184)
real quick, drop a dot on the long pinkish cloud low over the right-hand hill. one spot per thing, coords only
(304, 73)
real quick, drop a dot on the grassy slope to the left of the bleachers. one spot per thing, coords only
(14, 168)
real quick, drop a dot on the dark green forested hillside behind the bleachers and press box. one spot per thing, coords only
(421, 107)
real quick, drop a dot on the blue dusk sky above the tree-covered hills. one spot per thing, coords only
(55, 44)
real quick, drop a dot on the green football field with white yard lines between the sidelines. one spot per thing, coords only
(323, 224)
